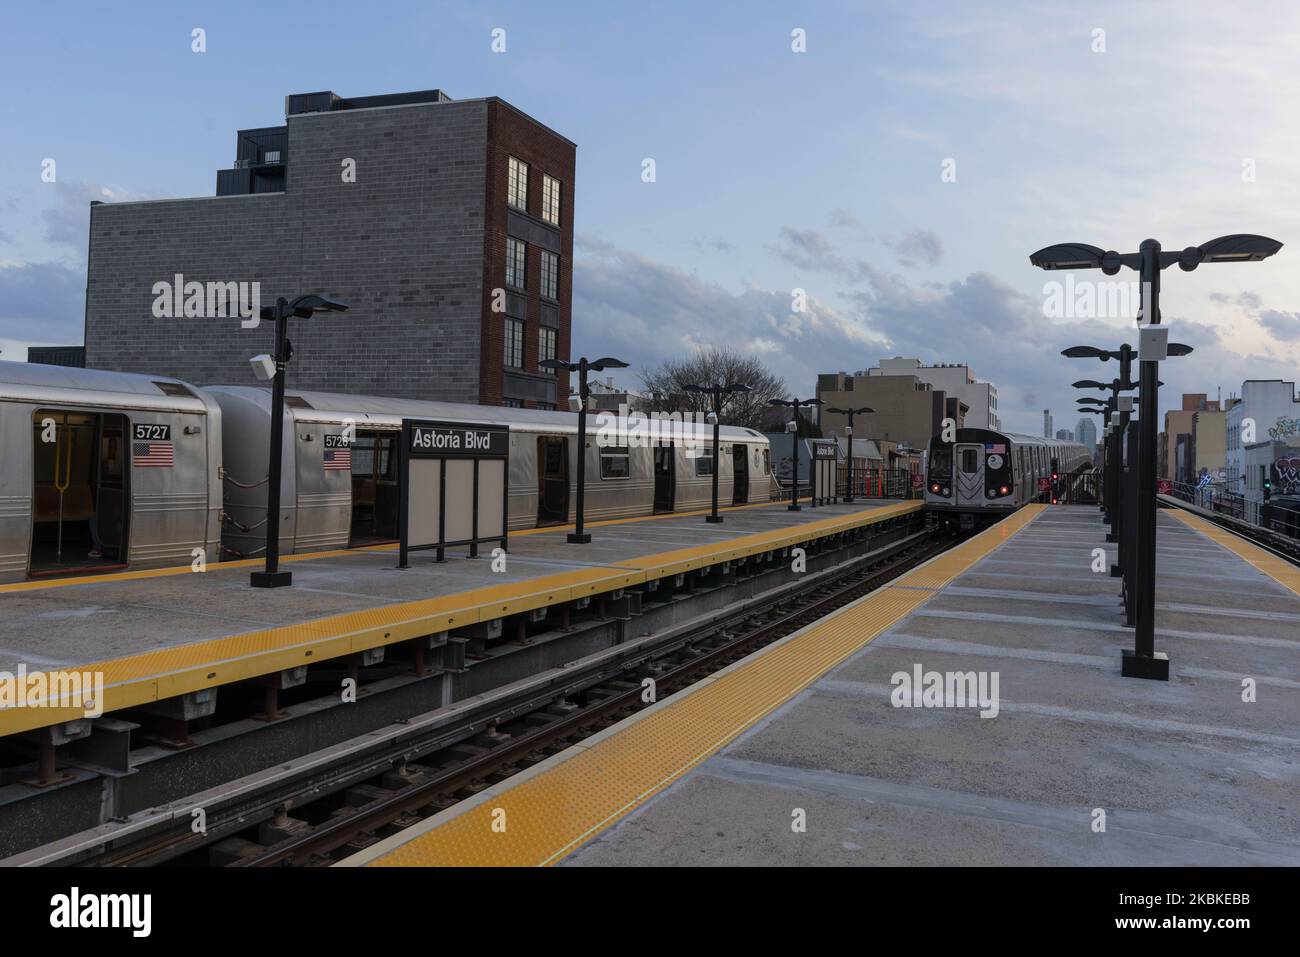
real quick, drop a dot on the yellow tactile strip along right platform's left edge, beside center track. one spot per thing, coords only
(553, 813)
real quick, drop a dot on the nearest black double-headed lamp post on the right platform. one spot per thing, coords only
(1149, 262)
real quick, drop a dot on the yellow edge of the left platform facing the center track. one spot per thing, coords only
(140, 679)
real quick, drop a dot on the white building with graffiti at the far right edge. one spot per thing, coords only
(1272, 412)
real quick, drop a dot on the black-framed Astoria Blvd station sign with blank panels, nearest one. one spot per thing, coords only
(456, 487)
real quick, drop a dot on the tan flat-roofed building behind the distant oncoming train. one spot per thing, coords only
(908, 412)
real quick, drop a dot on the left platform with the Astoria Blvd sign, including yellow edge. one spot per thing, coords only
(167, 633)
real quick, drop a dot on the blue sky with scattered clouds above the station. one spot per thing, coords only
(892, 176)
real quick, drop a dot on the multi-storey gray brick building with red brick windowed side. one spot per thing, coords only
(445, 192)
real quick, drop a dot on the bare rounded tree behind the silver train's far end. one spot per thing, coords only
(717, 366)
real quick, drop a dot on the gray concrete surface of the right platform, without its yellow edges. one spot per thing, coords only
(1186, 772)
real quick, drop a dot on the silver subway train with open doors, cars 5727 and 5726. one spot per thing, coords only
(109, 471)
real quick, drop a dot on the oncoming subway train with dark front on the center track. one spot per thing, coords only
(985, 475)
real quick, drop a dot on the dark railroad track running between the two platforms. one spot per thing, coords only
(332, 822)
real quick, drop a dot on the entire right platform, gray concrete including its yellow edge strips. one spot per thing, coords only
(1180, 773)
